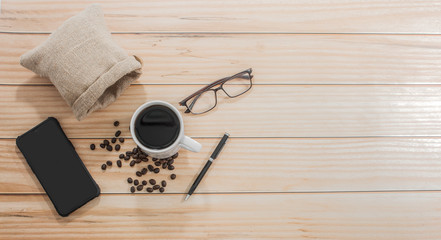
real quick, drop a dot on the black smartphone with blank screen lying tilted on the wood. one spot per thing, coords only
(54, 161)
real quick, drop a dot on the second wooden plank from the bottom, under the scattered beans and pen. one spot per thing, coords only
(262, 165)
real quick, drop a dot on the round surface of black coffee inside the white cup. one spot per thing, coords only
(157, 127)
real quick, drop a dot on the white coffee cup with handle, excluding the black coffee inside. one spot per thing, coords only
(181, 141)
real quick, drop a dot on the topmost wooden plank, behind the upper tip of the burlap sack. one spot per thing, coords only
(304, 16)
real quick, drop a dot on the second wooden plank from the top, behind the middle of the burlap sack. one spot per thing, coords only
(276, 59)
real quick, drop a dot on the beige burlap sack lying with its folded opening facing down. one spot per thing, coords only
(89, 70)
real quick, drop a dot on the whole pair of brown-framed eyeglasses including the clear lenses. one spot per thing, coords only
(205, 99)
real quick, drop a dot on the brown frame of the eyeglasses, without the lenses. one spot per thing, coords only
(215, 83)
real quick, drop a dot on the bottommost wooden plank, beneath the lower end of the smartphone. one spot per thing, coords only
(411, 215)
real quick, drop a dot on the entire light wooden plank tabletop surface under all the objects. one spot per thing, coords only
(339, 138)
